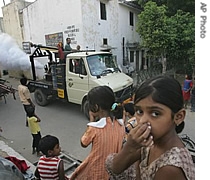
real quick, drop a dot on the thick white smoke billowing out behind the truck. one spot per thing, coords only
(12, 57)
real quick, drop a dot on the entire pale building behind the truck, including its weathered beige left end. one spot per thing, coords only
(93, 24)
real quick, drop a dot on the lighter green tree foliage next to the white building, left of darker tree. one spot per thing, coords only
(152, 27)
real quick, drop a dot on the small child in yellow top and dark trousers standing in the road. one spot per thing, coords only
(33, 123)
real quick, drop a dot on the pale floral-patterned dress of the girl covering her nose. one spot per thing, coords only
(179, 157)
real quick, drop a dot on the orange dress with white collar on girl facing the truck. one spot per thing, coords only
(106, 137)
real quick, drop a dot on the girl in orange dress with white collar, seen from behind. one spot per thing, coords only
(105, 132)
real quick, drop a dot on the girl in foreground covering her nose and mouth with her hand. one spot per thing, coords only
(154, 144)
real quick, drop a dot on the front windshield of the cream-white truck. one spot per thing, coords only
(101, 65)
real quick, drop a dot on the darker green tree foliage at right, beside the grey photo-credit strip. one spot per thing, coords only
(181, 49)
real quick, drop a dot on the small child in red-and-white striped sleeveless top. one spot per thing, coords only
(50, 166)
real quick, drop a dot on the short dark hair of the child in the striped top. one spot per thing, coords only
(47, 143)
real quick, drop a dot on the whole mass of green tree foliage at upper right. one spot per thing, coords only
(168, 36)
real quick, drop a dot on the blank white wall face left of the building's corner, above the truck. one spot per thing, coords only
(51, 16)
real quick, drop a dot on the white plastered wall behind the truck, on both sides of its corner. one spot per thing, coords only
(80, 20)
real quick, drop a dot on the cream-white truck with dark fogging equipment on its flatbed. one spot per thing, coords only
(71, 79)
